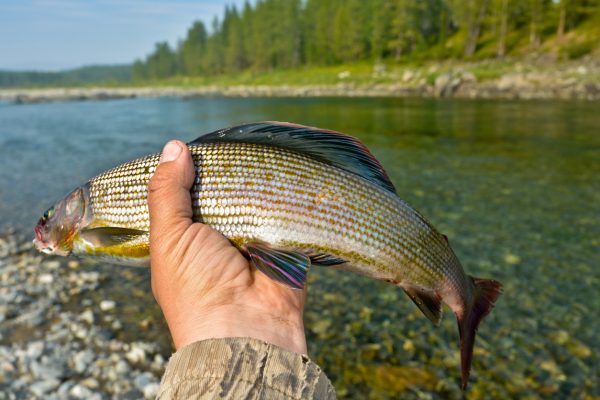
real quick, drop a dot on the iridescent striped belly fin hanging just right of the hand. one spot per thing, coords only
(287, 267)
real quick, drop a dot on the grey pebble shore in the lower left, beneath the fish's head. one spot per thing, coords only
(60, 339)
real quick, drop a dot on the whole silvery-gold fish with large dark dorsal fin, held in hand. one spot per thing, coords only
(288, 197)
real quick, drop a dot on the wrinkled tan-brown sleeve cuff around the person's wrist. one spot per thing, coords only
(236, 368)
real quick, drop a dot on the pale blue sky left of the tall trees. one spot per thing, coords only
(52, 35)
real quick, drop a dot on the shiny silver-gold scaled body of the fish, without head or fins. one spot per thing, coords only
(250, 192)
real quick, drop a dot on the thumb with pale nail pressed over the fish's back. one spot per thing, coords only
(169, 200)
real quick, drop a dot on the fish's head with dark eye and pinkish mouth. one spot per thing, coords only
(56, 229)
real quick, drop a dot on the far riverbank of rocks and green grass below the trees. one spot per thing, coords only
(480, 80)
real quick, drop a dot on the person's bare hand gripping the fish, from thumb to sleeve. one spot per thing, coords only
(205, 287)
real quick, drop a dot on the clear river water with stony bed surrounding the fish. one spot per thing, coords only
(515, 186)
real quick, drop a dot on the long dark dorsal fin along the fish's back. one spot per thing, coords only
(337, 149)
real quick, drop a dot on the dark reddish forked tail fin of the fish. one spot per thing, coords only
(485, 293)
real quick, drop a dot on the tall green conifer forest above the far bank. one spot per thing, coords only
(275, 34)
